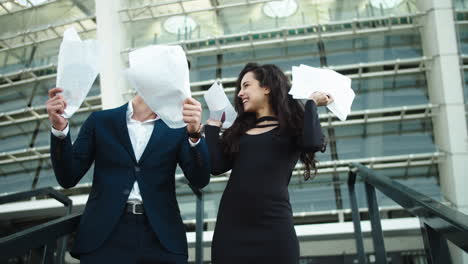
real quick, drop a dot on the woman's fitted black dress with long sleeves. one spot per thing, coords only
(254, 223)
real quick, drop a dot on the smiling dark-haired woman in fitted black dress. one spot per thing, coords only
(272, 131)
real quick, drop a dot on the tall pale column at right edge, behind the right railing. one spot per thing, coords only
(445, 84)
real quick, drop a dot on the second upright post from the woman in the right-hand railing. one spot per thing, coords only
(374, 216)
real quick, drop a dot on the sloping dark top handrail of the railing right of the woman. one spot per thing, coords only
(433, 213)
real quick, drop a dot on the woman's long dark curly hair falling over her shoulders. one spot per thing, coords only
(290, 112)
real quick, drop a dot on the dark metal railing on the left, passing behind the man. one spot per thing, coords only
(47, 243)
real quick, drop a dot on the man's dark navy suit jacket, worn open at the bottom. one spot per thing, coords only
(104, 140)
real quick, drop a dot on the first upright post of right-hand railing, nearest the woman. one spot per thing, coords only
(356, 218)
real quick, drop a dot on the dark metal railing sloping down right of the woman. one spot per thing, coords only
(439, 222)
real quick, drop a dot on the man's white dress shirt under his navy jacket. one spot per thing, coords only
(140, 133)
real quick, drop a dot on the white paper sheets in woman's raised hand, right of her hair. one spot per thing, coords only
(307, 80)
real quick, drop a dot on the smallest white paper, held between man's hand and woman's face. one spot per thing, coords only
(218, 103)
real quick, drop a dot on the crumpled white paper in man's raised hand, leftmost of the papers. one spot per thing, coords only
(77, 69)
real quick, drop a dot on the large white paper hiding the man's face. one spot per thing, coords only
(160, 75)
